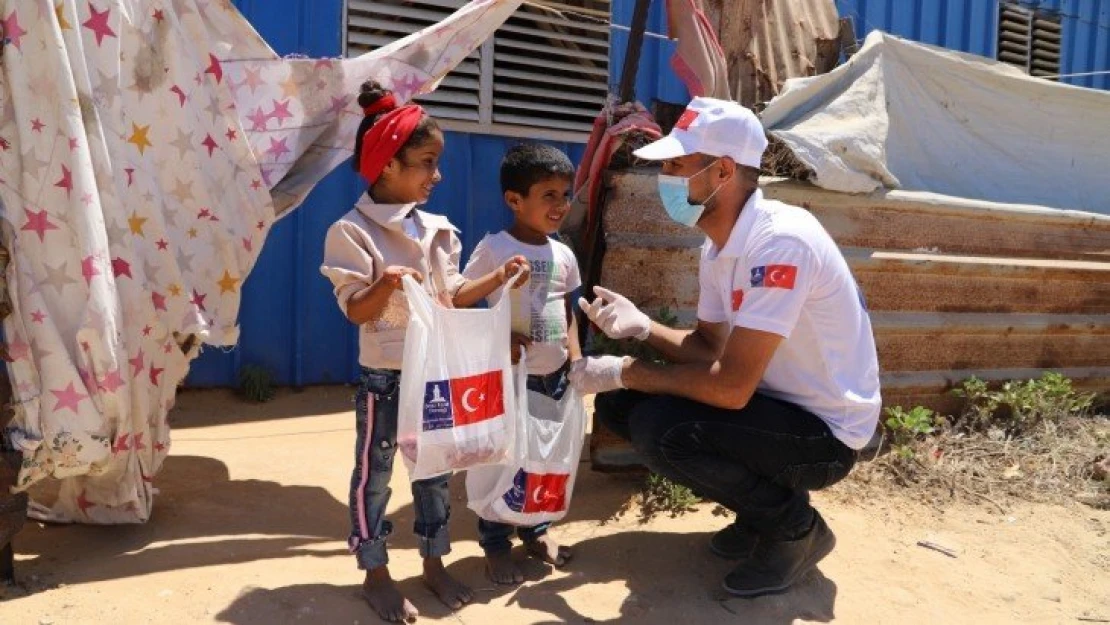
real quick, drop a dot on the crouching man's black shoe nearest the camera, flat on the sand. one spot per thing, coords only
(776, 566)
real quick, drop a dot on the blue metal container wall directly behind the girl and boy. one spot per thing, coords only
(289, 319)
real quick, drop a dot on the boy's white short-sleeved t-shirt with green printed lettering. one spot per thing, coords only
(539, 307)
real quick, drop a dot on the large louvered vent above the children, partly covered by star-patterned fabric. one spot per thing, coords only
(543, 69)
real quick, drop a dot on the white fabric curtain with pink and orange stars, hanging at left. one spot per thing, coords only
(147, 148)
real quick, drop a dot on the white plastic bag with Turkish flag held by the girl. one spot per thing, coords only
(457, 389)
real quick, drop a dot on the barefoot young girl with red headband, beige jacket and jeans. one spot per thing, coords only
(367, 254)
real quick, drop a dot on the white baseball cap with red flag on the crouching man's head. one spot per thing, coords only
(718, 128)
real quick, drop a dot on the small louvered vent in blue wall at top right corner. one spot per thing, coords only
(1031, 41)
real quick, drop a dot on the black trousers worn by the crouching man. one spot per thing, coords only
(760, 461)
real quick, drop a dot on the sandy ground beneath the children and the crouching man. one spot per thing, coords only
(253, 517)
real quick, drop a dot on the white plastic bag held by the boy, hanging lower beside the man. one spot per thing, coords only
(537, 487)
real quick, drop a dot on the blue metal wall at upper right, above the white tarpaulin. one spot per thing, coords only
(972, 26)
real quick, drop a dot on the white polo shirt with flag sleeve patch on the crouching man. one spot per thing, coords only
(781, 273)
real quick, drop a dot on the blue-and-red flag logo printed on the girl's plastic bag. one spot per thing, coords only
(463, 401)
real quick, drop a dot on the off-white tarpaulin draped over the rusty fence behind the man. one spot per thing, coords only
(907, 116)
